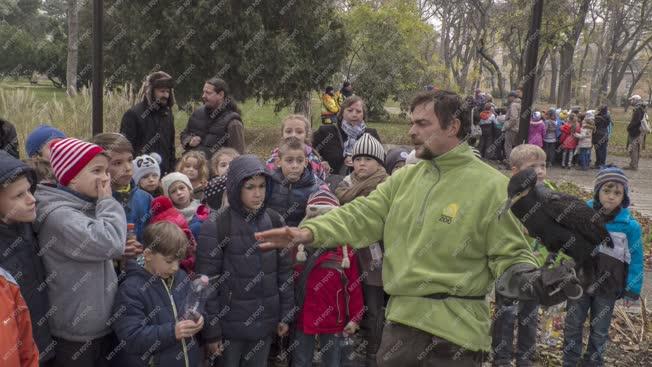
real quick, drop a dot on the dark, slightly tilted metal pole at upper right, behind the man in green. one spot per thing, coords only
(532, 55)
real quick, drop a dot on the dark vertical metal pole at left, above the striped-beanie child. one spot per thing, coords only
(98, 79)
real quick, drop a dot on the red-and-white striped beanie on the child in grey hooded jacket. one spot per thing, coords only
(69, 156)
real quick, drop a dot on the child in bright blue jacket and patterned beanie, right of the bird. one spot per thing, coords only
(619, 271)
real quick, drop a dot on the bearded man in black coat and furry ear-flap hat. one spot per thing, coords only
(149, 125)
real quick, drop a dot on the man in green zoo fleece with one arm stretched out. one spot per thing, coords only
(444, 243)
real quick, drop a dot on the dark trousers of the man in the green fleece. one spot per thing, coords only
(404, 346)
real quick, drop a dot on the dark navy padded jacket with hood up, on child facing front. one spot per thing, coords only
(253, 288)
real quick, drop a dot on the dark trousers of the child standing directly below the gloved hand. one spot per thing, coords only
(509, 311)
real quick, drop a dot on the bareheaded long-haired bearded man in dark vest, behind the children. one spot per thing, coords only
(216, 124)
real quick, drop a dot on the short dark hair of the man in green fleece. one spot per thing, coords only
(448, 106)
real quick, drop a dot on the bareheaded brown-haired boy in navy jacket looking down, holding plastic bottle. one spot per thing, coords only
(151, 324)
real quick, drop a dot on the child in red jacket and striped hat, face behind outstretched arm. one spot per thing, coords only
(328, 293)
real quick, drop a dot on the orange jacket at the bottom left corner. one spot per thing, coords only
(17, 347)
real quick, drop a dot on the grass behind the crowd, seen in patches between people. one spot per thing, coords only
(27, 105)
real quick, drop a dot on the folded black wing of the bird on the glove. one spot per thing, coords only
(576, 216)
